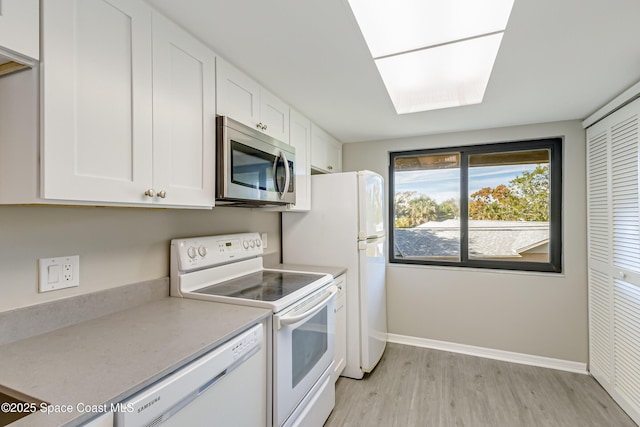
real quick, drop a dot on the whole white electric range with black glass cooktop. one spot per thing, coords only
(229, 269)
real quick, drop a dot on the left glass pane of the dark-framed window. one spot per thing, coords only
(427, 207)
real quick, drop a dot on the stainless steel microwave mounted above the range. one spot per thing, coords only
(252, 168)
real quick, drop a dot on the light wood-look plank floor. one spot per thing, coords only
(421, 387)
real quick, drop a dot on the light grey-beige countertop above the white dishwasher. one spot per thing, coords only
(108, 359)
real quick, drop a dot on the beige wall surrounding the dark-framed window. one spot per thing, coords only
(532, 313)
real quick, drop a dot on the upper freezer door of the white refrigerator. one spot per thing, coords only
(371, 205)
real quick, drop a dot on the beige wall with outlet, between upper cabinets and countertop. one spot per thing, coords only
(117, 246)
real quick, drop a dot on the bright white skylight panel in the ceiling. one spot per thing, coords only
(433, 54)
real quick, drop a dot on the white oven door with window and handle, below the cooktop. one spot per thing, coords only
(304, 338)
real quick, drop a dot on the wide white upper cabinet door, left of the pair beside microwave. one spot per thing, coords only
(96, 100)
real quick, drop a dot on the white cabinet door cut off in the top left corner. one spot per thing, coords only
(19, 21)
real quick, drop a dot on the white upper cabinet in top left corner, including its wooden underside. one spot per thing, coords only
(19, 34)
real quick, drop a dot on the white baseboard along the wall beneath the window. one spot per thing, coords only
(489, 353)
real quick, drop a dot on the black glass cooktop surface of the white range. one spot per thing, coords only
(265, 285)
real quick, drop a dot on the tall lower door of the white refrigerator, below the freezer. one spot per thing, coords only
(373, 302)
